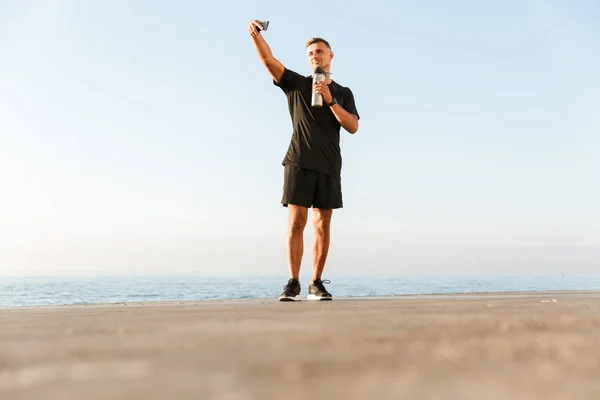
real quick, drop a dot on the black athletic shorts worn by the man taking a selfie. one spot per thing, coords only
(304, 187)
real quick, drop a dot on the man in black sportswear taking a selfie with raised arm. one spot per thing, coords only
(313, 162)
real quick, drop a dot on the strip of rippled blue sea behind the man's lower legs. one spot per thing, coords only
(20, 291)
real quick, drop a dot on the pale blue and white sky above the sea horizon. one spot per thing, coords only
(146, 136)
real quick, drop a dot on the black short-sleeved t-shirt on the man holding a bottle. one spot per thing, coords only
(315, 142)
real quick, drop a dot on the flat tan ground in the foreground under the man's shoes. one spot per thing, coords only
(477, 346)
